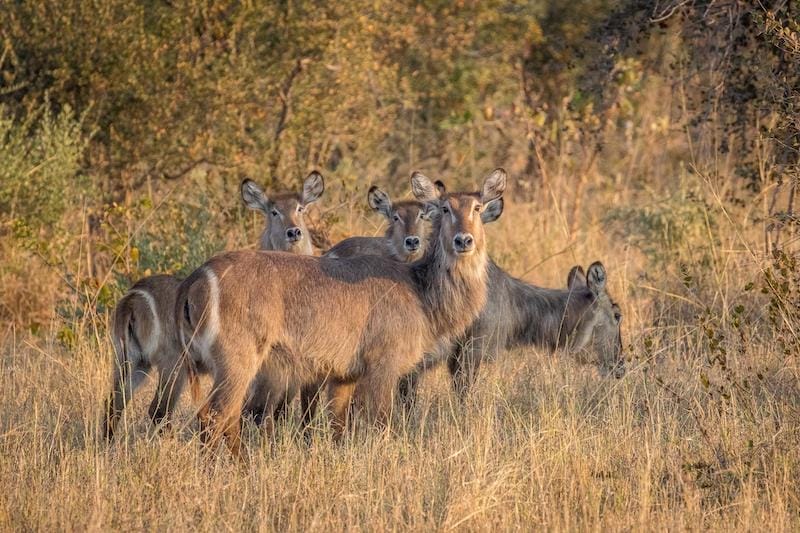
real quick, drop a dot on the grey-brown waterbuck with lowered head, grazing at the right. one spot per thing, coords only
(582, 319)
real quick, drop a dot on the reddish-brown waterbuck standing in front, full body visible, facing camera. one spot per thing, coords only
(364, 321)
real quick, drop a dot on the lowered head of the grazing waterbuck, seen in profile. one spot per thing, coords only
(599, 330)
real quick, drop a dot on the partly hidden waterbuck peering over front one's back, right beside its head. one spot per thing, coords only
(405, 238)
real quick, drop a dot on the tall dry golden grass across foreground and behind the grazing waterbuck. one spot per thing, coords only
(543, 442)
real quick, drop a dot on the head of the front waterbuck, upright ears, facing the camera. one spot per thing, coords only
(460, 216)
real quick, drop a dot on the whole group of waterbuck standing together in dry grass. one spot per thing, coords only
(358, 325)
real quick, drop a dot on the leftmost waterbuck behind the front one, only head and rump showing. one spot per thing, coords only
(143, 326)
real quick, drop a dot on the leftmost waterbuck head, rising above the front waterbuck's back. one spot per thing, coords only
(286, 228)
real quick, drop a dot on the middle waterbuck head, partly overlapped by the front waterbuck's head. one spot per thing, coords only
(409, 224)
